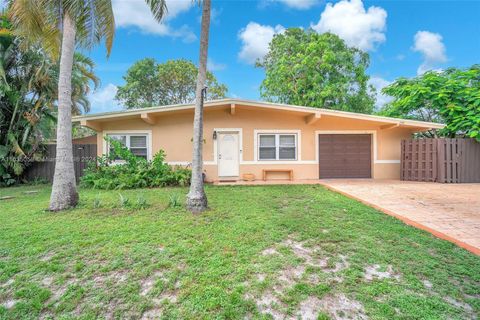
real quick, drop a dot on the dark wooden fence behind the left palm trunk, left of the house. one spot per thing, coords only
(44, 170)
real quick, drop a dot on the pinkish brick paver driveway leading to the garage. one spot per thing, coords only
(450, 211)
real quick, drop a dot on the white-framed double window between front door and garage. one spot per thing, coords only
(277, 146)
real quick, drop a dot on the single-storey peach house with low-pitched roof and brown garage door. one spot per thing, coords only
(251, 137)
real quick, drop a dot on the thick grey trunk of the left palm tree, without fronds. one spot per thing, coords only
(64, 191)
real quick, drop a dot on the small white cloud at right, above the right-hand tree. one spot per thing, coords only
(431, 46)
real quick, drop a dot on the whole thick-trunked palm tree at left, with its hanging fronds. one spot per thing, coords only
(65, 24)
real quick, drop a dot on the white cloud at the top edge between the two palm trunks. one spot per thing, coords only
(136, 14)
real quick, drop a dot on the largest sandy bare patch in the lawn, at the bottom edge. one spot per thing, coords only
(312, 258)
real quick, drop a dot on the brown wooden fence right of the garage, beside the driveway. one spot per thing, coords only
(440, 160)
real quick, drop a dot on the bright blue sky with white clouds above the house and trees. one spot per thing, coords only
(403, 38)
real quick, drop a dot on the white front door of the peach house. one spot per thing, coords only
(228, 154)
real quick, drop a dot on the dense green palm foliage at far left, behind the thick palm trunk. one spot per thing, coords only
(28, 95)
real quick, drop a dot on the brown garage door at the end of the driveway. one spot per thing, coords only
(345, 156)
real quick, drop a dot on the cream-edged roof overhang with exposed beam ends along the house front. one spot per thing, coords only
(311, 114)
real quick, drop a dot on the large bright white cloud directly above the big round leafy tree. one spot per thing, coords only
(348, 19)
